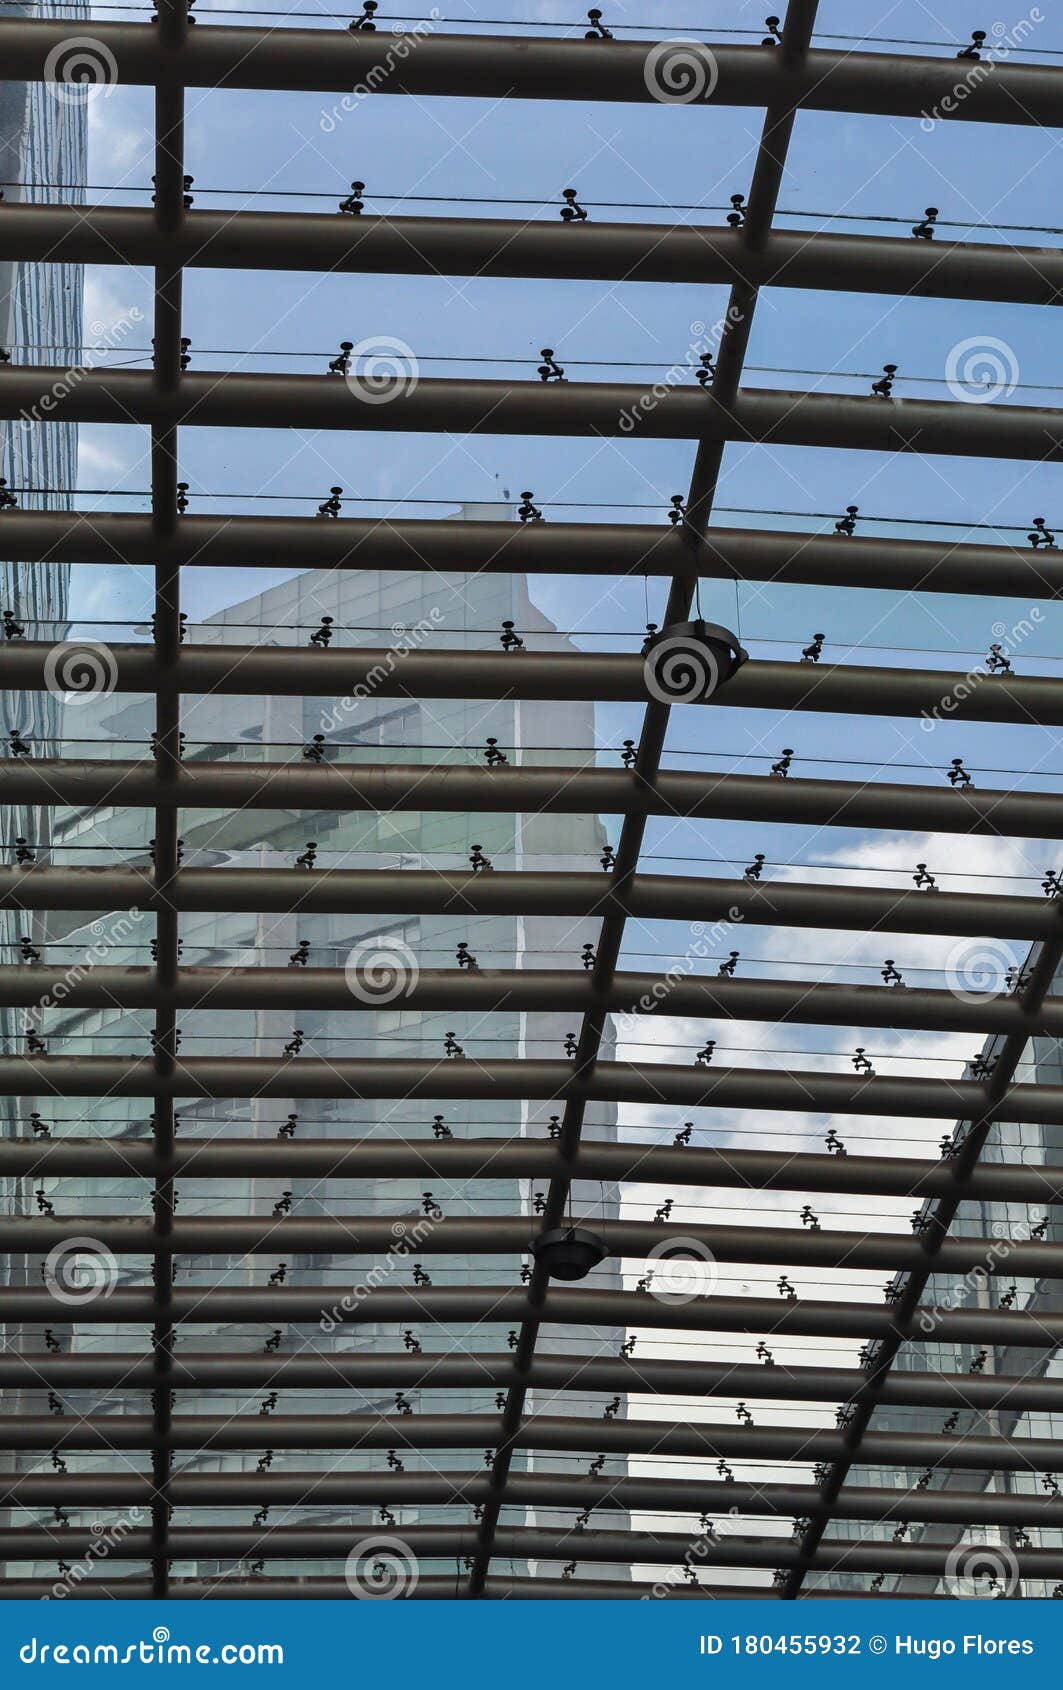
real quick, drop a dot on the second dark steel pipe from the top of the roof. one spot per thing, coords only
(614, 253)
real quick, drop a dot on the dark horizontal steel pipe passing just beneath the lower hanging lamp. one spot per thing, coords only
(506, 1307)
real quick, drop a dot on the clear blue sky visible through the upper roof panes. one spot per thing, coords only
(697, 156)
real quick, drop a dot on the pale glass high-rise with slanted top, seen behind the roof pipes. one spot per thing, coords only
(379, 611)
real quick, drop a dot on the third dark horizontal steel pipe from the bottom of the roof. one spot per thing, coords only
(535, 1491)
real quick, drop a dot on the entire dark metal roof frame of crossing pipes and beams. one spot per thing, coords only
(793, 77)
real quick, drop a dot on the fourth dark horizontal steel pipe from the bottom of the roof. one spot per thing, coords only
(457, 1432)
